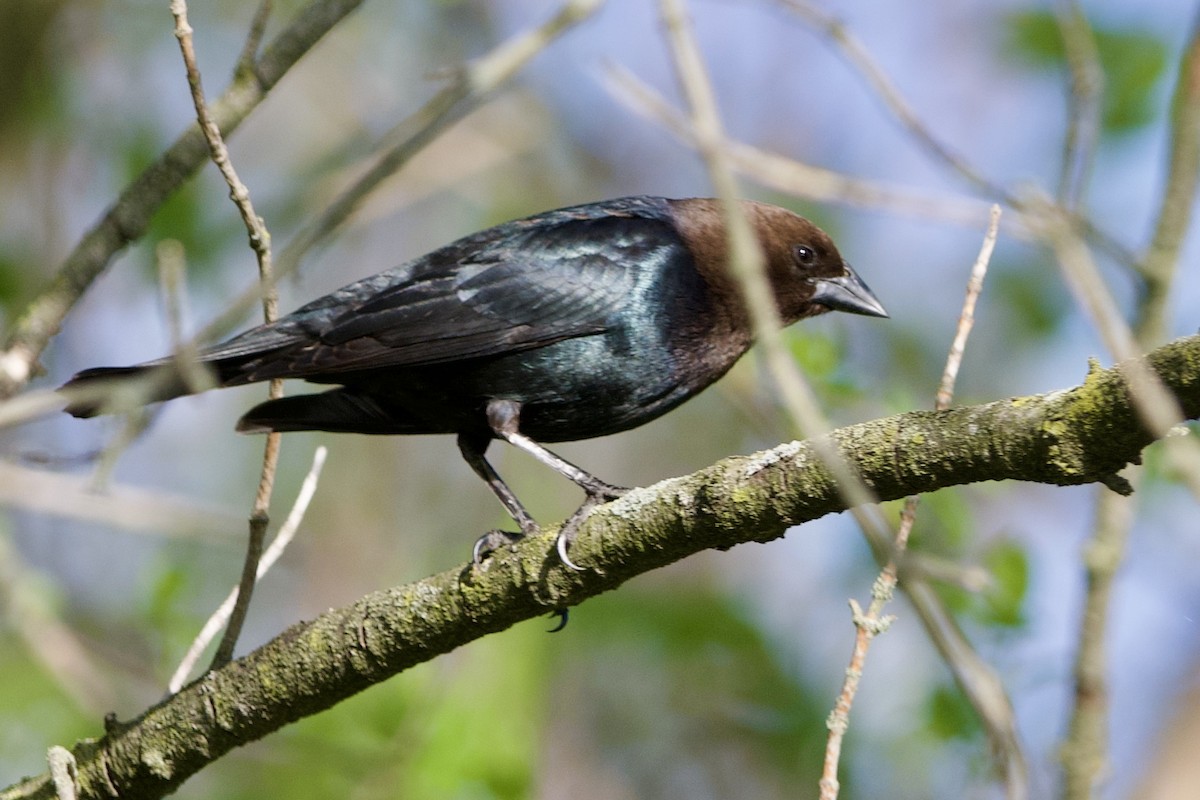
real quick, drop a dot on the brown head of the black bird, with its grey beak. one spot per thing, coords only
(807, 273)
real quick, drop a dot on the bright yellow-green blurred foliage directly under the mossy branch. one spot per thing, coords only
(466, 726)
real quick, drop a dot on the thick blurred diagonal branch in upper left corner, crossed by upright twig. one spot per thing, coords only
(128, 219)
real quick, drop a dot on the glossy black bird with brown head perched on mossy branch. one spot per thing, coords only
(566, 326)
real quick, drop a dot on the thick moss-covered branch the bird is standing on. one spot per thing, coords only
(1072, 437)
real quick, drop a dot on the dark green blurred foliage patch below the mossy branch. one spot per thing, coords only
(676, 684)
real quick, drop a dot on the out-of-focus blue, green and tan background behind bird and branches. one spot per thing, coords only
(709, 679)
